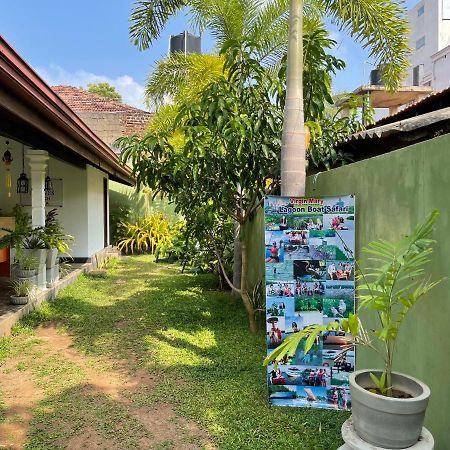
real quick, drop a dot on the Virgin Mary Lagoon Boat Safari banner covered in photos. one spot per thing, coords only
(310, 279)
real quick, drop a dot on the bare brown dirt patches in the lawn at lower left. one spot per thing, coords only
(23, 391)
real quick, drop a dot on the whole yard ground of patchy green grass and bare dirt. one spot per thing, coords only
(139, 343)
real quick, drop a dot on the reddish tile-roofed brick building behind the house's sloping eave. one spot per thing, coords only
(108, 119)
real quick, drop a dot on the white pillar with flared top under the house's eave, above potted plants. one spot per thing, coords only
(38, 160)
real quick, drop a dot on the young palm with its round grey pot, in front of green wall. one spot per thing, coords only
(388, 407)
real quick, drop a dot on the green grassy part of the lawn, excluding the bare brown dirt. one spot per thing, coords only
(195, 340)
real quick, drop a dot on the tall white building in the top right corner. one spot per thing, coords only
(430, 44)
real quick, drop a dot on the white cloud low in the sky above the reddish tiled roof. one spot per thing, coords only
(131, 91)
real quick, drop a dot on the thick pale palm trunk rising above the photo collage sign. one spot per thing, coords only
(293, 149)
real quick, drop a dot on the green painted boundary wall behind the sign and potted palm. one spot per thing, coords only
(394, 192)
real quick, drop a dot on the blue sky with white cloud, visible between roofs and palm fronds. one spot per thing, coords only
(85, 41)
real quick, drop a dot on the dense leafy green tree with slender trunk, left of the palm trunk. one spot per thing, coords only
(230, 156)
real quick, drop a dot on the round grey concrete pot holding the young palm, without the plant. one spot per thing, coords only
(388, 422)
